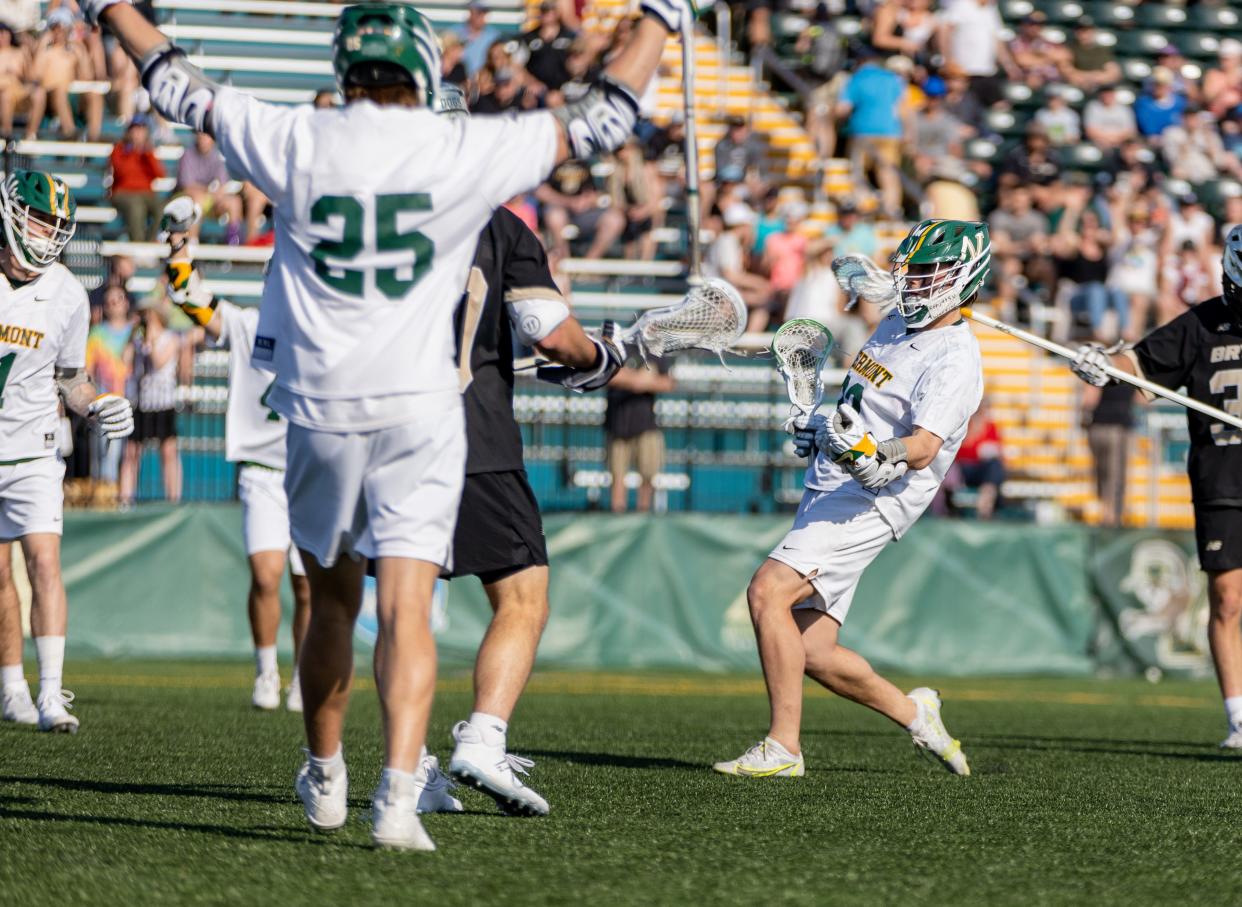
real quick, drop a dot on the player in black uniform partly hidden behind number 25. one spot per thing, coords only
(511, 295)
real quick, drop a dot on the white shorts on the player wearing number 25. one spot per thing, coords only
(387, 494)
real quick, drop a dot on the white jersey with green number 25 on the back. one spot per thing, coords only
(378, 211)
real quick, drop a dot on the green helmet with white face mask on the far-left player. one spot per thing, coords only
(39, 217)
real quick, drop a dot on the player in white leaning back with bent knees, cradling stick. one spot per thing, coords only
(876, 464)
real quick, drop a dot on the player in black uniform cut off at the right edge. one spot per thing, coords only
(1202, 351)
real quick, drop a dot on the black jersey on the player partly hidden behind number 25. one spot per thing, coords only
(510, 265)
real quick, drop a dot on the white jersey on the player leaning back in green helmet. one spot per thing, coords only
(932, 380)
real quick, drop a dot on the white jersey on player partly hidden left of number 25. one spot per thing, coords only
(254, 432)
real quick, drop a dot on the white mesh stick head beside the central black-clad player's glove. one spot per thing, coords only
(711, 317)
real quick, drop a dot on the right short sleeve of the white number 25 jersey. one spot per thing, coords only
(510, 155)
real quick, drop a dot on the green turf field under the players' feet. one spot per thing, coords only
(1085, 792)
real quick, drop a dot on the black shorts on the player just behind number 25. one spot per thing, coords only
(500, 531)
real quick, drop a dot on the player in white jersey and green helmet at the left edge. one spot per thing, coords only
(44, 322)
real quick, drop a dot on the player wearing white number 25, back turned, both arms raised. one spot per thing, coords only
(378, 207)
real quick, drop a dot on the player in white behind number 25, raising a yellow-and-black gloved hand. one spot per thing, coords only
(255, 440)
